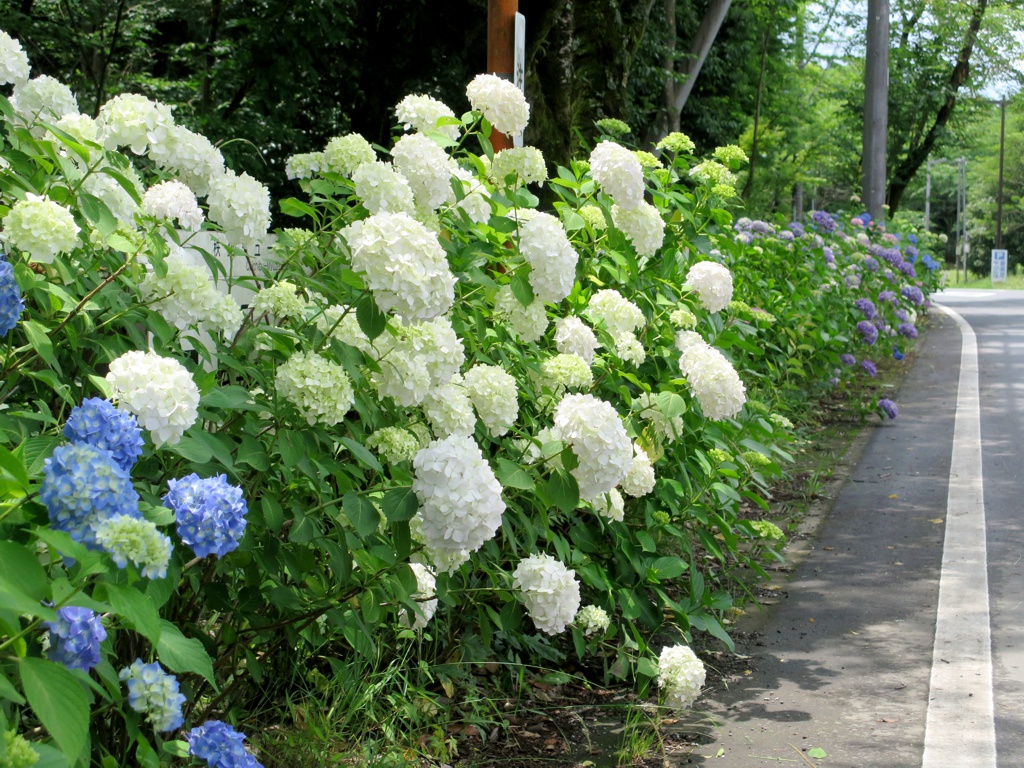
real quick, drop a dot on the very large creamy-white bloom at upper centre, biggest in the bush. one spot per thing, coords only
(404, 266)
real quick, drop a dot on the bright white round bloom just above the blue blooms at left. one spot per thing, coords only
(159, 391)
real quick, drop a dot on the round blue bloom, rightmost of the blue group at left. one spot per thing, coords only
(211, 514)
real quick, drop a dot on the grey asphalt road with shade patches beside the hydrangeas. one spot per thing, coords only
(845, 662)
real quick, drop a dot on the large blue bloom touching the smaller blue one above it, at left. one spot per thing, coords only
(82, 487)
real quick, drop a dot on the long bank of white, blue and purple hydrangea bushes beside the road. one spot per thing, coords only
(423, 410)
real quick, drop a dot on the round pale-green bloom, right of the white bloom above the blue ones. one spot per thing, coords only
(319, 389)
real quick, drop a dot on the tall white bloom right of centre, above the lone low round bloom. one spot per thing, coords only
(599, 439)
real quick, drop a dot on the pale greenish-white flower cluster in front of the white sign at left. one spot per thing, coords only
(187, 296)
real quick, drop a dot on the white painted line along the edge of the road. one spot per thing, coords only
(960, 730)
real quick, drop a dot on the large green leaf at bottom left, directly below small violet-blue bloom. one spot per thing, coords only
(60, 702)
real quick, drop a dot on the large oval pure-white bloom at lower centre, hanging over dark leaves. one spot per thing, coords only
(460, 499)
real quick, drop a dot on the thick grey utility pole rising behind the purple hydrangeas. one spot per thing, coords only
(876, 109)
